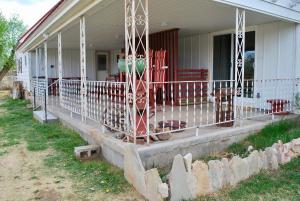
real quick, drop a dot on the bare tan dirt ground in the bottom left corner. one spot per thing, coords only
(24, 177)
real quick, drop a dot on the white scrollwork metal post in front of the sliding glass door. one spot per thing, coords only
(239, 64)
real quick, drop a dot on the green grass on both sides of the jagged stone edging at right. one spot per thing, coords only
(282, 184)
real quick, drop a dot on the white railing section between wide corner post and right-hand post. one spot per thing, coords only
(182, 105)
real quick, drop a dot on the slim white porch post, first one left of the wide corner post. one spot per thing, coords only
(83, 90)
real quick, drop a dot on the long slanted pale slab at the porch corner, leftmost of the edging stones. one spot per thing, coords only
(134, 170)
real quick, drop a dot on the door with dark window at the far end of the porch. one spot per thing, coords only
(102, 65)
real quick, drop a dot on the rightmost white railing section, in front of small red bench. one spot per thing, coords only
(268, 97)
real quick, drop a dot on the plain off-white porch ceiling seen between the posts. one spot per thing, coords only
(105, 24)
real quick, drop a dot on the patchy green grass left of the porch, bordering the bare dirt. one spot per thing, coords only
(17, 126)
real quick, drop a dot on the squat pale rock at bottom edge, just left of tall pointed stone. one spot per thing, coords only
(153, 182)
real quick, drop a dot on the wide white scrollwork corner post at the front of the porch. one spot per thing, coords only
(137, 79)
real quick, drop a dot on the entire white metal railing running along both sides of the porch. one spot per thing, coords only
(176, 105)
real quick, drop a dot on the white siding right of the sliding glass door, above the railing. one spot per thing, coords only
(275, 49)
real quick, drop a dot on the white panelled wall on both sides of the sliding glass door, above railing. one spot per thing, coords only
(275, 50)
